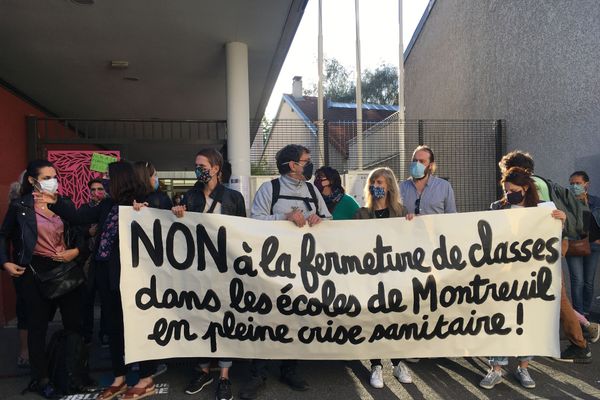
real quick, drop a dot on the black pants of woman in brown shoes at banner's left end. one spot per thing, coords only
(111, 303)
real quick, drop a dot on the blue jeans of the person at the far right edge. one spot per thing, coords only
(583, 272)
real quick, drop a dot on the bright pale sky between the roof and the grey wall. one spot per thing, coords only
(378, 34)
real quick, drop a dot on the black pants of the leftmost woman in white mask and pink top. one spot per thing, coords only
(39, 311)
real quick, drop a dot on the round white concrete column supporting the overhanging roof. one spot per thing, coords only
(238, 109)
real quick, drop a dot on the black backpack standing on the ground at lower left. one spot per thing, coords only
(68, 368)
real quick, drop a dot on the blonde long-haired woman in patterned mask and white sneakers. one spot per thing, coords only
(382, 200)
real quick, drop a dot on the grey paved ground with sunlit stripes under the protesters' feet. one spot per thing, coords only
(331, 380)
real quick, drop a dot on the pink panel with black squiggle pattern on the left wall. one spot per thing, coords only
(73, 168)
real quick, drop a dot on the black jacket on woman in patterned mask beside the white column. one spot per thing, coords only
(232, 201)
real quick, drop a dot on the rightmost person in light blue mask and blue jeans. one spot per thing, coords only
(583, 268)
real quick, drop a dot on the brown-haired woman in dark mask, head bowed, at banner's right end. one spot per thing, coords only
(519, 191)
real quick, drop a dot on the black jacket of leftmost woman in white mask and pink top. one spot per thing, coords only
(19, 228)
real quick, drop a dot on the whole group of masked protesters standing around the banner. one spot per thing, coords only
(42, 231)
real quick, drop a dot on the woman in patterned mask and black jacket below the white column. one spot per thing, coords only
(209, 195)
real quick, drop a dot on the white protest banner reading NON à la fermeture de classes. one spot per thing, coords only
(472, 284)
